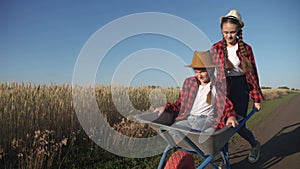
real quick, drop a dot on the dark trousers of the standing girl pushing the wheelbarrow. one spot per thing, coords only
(238, 93)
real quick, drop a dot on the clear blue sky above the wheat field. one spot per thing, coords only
(40, 41)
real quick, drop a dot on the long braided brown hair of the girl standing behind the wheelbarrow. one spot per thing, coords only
(246, 65)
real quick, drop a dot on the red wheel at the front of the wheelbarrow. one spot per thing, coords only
(180, 160)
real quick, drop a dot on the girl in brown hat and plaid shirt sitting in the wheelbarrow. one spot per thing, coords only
(200, 106)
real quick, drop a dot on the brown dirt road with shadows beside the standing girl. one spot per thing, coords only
(279, 135)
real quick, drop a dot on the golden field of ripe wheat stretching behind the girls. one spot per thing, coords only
(39, 126)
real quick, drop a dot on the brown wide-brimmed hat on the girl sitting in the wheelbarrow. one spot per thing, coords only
(201, 59)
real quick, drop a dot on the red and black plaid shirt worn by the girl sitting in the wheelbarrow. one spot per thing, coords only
(187, 96)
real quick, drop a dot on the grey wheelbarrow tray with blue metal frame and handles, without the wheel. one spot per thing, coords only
(215, 143)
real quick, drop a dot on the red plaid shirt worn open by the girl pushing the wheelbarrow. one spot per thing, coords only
(251, 77)
